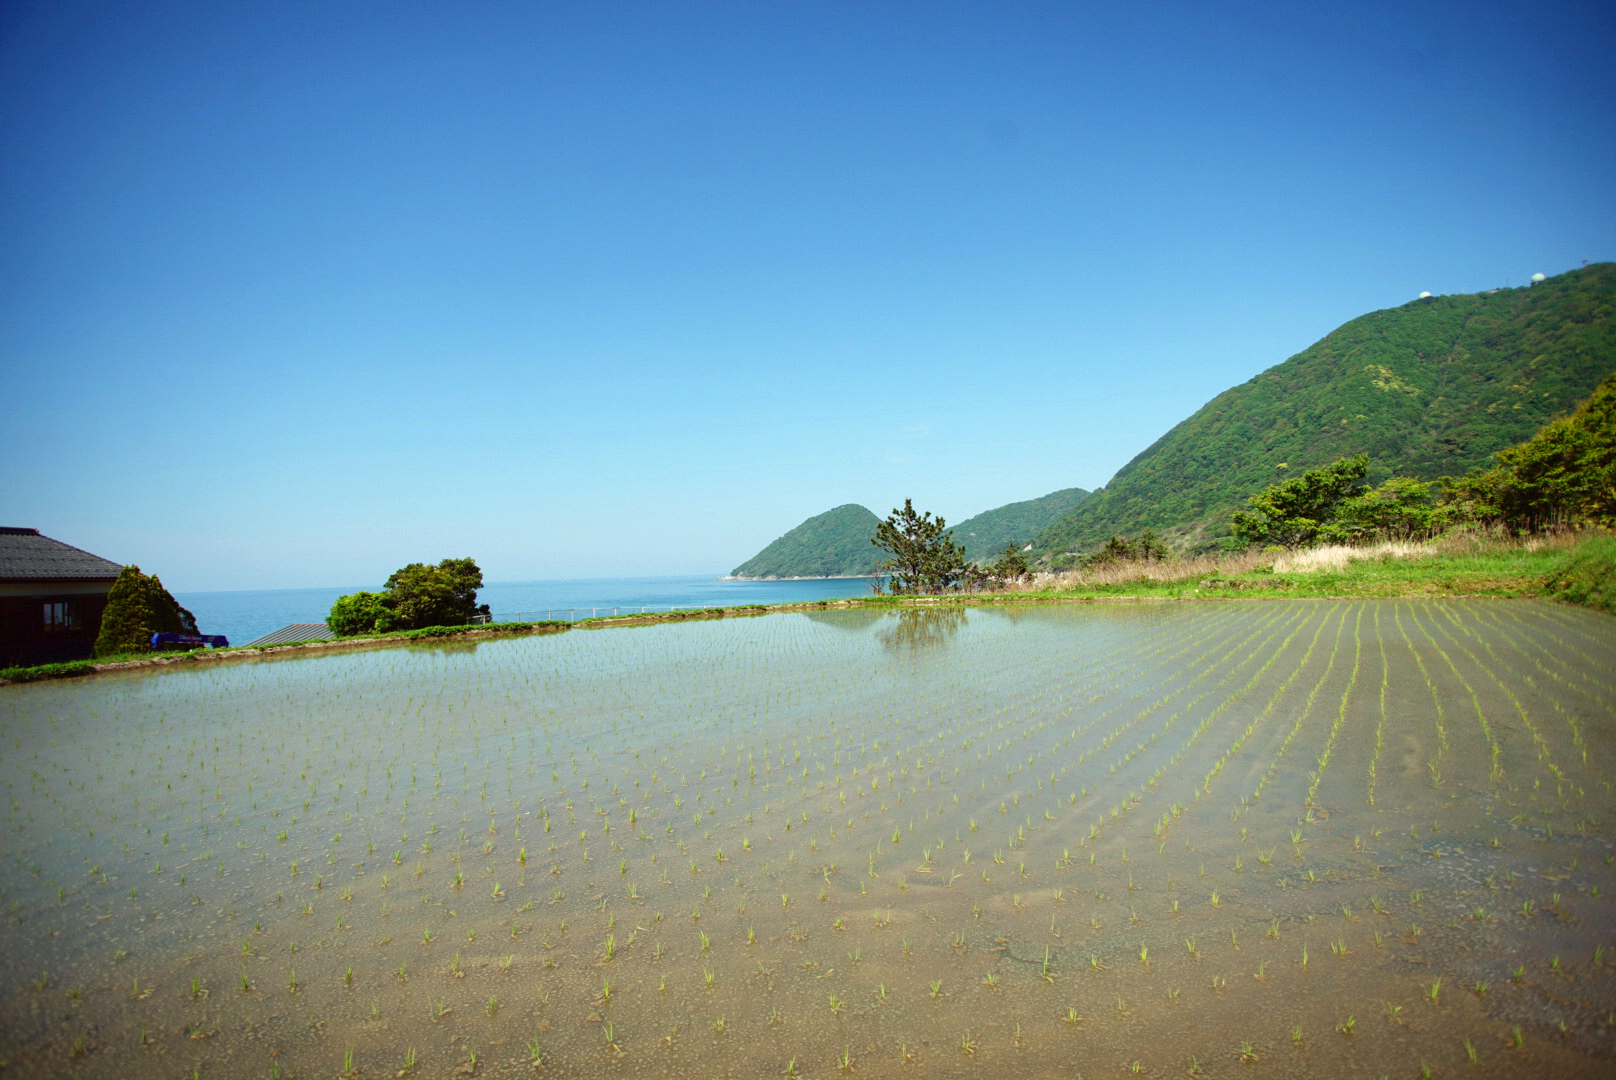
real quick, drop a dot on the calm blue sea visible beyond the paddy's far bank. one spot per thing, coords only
(243, 617)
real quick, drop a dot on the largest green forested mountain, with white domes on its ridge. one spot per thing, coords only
(1429, 389)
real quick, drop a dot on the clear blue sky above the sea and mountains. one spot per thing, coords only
(297, 293)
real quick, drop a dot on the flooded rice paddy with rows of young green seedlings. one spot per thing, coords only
(1227, 840)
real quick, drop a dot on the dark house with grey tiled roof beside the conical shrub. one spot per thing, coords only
(53, 597)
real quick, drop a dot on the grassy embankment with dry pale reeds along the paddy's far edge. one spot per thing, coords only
(1575, 568)
